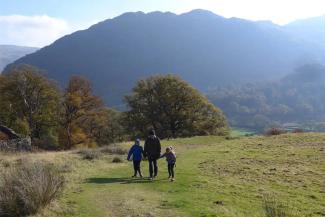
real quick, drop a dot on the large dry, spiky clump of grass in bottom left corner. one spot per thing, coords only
(26, 189)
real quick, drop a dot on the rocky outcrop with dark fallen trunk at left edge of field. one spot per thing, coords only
(15, 141)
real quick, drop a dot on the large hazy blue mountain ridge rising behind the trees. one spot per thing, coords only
(203, 48)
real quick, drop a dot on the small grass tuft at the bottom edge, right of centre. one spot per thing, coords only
(274, 208)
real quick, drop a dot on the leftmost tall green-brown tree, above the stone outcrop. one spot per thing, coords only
(29, 102)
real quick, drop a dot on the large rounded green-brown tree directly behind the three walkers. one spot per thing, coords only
(173, 108)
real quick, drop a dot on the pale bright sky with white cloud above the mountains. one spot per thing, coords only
(40, 22)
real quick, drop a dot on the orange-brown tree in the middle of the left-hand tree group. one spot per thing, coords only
(80, 106)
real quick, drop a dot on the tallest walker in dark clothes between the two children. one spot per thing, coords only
(152, 150)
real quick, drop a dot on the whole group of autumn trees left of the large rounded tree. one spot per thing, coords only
(34, 106)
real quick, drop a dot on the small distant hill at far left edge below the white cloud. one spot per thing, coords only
(10, 53)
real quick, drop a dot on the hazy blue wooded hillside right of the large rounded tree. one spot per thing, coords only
(296, 101)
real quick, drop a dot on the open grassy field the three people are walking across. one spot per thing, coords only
(214, 177)
